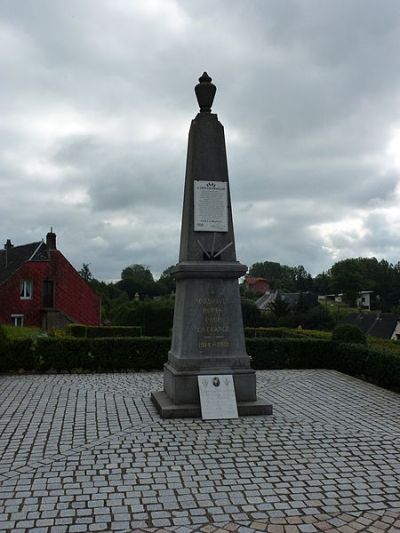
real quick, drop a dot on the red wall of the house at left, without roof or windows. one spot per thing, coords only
(72, 295)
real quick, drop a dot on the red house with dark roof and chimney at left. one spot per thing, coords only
(39, 287)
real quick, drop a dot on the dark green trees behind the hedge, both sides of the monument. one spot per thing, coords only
(138, 298)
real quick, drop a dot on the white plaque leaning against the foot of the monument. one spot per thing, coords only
(217, 397)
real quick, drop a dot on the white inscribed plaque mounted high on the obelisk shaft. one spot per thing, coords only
(210, 205)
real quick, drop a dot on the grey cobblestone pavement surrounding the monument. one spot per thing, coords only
(89, 453)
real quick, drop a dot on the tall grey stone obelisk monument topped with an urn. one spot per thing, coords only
(208, 336)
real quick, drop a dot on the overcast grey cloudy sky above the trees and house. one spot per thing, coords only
(96, 99)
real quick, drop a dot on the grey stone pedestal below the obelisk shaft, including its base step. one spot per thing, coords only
(207, 340)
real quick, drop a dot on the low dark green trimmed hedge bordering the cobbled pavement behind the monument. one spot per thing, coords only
(150, 353)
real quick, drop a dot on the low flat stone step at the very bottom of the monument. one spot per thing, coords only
(167, 409)
